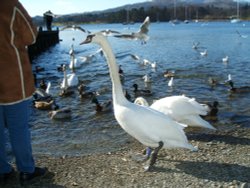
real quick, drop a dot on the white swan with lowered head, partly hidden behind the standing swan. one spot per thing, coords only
(181, 108)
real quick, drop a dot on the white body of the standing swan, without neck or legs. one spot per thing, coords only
(150, 126)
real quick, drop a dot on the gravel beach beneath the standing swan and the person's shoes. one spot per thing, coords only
(223, 160)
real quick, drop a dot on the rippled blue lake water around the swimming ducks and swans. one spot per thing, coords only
(171, 47)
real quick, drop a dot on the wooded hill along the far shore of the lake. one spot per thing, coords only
(158, 10)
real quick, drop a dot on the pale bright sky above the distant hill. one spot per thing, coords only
(38, 7)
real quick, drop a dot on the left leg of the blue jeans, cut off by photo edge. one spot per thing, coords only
(4, 165)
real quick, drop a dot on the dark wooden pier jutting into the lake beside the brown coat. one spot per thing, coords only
(44, 41)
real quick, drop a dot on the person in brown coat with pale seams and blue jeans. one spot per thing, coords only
(16, 89)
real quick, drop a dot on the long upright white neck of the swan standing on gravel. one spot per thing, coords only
(117, 92)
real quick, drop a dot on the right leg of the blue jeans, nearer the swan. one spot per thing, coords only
(17, 117)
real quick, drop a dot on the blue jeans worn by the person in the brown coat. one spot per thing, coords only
(15, 118)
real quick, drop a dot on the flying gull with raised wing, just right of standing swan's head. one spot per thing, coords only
(142, 34)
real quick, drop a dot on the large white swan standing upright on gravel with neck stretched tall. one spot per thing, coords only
(150, 127)
